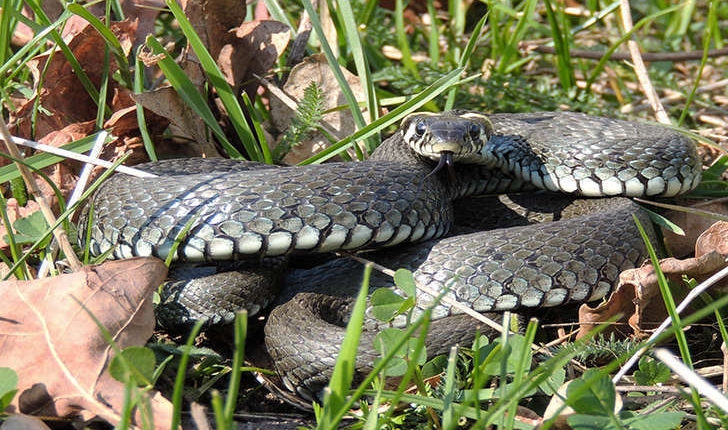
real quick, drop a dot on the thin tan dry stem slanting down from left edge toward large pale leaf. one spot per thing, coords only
(45, 208)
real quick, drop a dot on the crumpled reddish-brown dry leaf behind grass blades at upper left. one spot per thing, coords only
(68, 111)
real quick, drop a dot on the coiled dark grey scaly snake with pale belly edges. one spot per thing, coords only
(218, 211)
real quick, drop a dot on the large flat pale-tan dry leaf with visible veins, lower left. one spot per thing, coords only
(48, 337)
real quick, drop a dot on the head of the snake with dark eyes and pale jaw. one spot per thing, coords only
(455, 136)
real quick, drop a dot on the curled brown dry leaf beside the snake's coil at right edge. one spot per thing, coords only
(637, 299)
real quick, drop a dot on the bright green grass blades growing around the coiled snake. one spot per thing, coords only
(471, 56)
